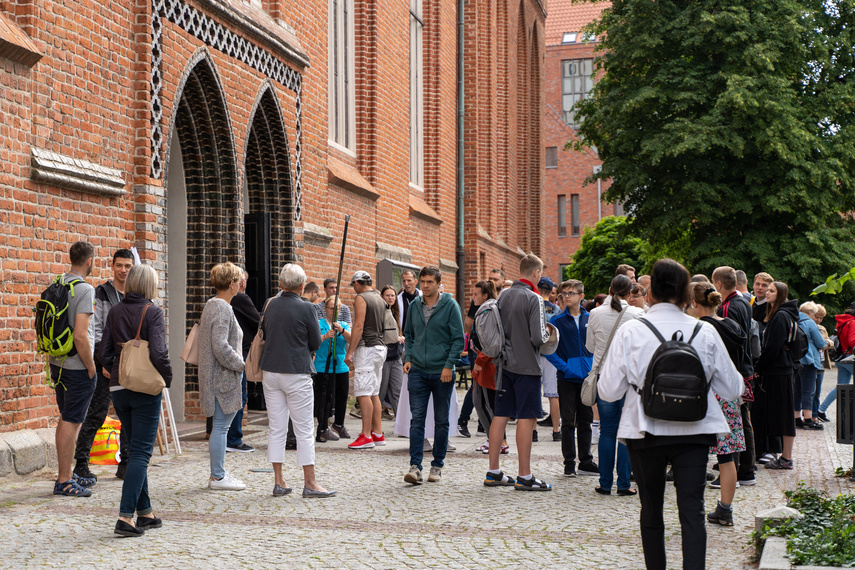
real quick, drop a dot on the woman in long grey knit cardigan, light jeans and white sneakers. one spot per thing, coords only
(220, 367)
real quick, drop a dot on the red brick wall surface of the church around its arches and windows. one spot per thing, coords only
(89, 98)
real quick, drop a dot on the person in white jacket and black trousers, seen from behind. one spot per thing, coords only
(654, 443)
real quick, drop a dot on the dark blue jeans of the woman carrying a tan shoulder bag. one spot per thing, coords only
(139, 414)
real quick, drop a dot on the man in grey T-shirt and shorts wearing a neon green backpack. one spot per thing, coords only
(66, 333)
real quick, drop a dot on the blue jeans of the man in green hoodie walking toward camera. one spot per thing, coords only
(421, 386)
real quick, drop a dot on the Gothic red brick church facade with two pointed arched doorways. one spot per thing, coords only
(202, 131)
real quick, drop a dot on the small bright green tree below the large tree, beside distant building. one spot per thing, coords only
(603, 248)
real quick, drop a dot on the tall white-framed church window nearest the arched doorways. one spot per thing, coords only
(342, 127)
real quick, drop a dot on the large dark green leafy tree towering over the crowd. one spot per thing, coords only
(731, 121)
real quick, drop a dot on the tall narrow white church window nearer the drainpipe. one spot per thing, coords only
(417, 164)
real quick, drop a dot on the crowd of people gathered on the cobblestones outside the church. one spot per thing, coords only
(403, 348)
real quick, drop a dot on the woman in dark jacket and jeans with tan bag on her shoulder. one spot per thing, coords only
(138, 412)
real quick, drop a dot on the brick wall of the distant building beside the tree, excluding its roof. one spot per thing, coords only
(573, 167)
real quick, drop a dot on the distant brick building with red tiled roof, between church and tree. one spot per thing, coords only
(570, 205)
